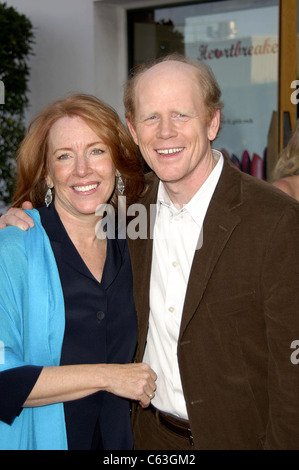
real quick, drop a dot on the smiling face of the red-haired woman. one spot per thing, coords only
(80, 167)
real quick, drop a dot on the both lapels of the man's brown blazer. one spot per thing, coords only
(219, 224)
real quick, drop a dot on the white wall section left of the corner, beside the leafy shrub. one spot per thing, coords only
(64, 44)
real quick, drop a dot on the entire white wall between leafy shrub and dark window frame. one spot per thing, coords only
(80, 46)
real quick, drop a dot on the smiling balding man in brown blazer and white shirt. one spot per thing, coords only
(216, 284)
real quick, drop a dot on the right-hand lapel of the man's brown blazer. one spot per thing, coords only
(219, 224)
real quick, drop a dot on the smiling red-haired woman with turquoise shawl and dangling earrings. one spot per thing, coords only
(67, 317)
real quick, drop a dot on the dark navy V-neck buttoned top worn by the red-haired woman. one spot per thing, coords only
(101, 327)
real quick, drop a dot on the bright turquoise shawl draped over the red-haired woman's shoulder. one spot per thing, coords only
(32, 321)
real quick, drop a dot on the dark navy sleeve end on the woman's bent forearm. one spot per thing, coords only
(15, 386)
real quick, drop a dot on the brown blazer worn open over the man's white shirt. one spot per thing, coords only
(240, 316)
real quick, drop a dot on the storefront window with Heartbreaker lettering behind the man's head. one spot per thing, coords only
(239, 42)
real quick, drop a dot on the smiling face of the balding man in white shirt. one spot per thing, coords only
(170, 125)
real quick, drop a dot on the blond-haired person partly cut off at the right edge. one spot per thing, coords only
(286, 172)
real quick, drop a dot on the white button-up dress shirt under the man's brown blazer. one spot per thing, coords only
(177, 234)
